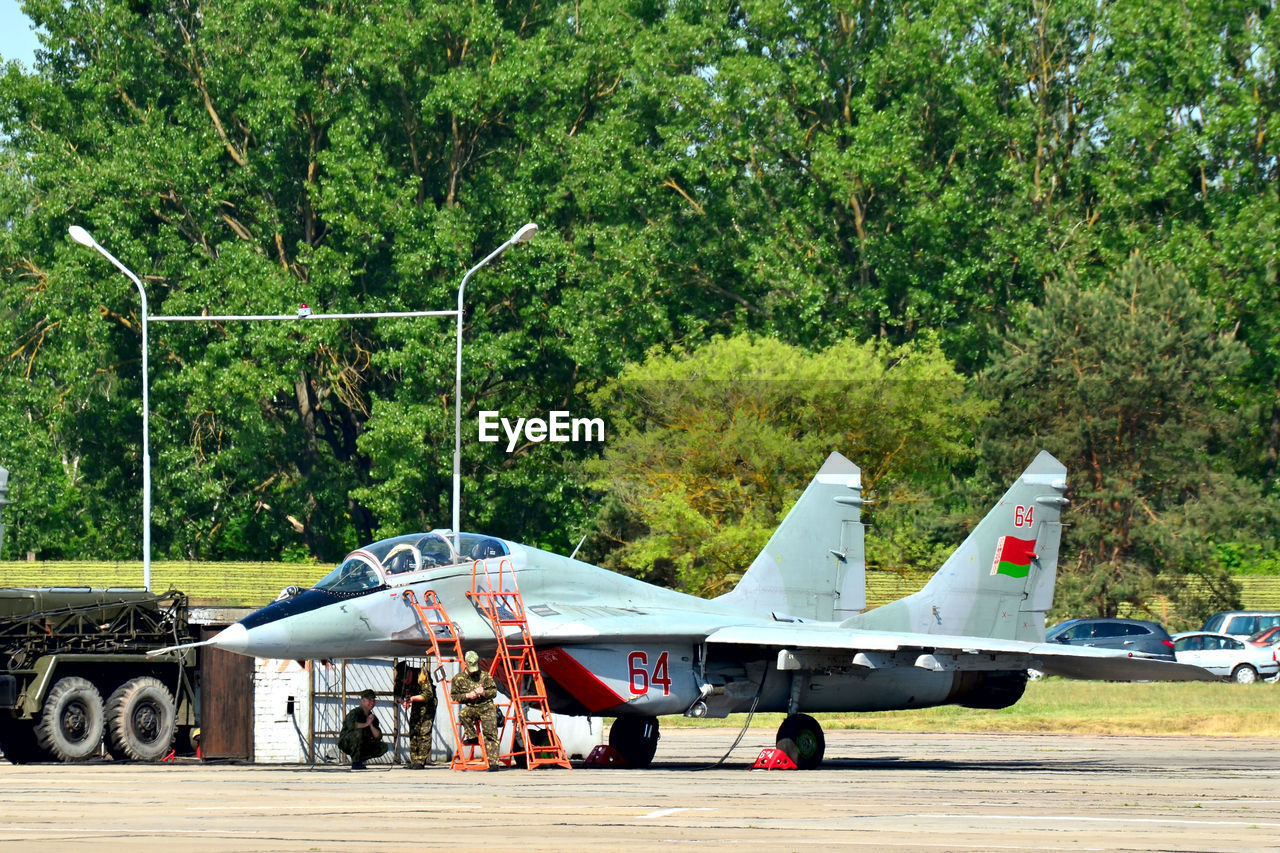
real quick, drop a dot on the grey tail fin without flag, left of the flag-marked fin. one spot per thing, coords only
(812, 567)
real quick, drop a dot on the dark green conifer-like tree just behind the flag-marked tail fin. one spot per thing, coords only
(1119, 380)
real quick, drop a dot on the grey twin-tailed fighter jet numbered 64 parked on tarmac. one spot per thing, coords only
(794, 636)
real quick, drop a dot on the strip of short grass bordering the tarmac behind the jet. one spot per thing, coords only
(1082, 708)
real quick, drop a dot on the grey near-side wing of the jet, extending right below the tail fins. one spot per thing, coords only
(803, 646)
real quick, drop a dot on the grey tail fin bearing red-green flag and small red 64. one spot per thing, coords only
(1000, 582)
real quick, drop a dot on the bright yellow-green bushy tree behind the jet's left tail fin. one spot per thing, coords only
(714, 445)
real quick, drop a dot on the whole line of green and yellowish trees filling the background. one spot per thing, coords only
(934, 236)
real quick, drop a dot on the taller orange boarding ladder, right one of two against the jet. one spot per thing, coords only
(500, 601)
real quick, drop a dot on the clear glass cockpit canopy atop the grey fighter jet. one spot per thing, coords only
(387, 563)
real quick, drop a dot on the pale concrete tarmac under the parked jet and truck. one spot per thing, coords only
(876, 792)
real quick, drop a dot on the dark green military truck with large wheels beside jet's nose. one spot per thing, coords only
(76, 676)
